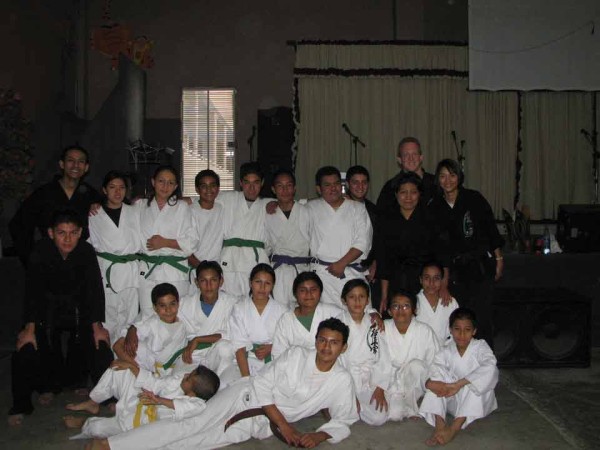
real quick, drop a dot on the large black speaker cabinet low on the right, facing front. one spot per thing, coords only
(541, 327)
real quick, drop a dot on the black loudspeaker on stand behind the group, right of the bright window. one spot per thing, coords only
(274, 144)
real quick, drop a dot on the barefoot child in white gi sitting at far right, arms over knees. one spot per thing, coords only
(461, 381)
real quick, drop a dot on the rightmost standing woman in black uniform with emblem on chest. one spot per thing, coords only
(470, 244)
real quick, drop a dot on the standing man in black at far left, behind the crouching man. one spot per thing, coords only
(65, 191)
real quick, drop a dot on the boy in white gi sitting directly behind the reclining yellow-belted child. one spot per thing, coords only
(152, 341)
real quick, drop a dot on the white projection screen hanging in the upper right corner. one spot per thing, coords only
(534, 44)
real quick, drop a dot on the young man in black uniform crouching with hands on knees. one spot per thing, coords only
(64, 298)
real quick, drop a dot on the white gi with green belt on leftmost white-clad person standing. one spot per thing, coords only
(121, 305)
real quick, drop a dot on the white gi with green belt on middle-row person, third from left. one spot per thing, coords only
(246, 328)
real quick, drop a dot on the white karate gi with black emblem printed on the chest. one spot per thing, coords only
(368, 364)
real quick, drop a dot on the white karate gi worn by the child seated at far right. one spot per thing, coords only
(476, 399)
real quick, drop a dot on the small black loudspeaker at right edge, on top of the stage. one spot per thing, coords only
(578, 228)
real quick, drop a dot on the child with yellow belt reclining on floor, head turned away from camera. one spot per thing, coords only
(143, 399)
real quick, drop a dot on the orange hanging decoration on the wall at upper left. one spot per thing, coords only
(112, 39)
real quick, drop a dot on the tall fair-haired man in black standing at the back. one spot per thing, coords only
(410, 159)
